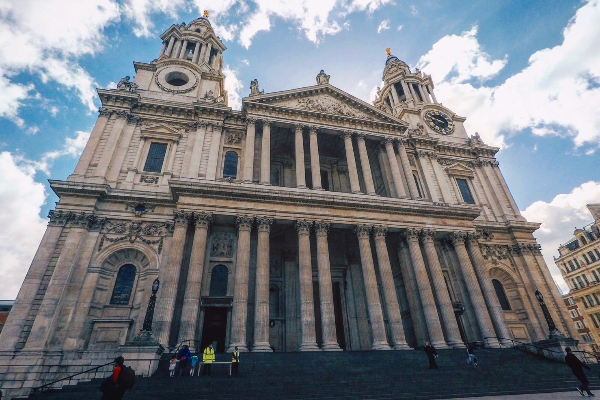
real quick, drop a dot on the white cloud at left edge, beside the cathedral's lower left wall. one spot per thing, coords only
(21, 228)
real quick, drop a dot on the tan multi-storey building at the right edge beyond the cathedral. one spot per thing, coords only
(578, 262)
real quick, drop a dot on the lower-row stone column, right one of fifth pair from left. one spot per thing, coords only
(441, 290)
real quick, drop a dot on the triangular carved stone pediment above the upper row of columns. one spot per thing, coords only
(324, 99)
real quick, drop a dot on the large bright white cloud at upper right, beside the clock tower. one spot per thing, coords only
(556, 94)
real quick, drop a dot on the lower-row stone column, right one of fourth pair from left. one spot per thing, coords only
(389, 290)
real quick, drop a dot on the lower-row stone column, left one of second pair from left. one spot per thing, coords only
(239, 314)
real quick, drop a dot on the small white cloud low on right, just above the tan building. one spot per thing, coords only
(559, 219)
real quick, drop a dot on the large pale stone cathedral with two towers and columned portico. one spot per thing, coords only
(307, 221)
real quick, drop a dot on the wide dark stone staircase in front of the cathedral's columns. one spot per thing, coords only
(352, 375)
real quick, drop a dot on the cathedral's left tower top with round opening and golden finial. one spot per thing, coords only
(190, 64)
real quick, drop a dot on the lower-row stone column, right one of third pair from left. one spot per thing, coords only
(325, 288)
